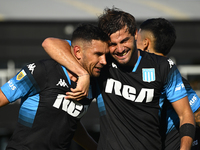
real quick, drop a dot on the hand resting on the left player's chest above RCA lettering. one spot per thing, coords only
(81, 90)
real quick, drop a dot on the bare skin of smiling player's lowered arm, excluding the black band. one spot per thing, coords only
(185, 114)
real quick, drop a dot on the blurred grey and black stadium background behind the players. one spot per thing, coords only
(24, 24)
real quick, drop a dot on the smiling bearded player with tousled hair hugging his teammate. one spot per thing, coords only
(130, 85)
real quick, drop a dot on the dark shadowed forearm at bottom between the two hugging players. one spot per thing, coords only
(83, 138)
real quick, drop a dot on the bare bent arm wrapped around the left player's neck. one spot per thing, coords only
(60, 51)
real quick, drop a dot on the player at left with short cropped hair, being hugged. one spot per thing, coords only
(48, 121)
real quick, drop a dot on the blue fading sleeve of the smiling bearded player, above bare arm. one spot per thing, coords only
(174, 88)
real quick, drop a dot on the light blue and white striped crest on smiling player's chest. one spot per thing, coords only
(148, 75)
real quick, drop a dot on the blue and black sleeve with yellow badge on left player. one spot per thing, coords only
(24, 83)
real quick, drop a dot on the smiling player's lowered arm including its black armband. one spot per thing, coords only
(187, 123)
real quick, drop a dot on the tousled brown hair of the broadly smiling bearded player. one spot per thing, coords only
(113, 20)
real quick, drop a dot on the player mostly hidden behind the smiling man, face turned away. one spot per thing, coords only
(158, 35)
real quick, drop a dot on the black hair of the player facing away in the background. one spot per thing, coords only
(164, 34)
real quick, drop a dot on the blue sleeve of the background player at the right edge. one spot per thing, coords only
(194, 100)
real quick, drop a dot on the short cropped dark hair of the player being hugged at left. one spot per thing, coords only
(89, 32)
